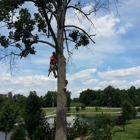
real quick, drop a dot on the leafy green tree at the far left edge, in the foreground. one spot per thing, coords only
(7, 117)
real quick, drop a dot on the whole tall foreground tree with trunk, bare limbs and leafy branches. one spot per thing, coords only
(23, 35)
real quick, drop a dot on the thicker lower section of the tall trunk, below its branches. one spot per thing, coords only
(61, 101)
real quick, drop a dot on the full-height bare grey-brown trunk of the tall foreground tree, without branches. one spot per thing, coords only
(61, 123)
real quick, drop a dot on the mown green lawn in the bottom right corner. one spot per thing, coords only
(131, 132)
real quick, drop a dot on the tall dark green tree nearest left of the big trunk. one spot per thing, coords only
(33, 118)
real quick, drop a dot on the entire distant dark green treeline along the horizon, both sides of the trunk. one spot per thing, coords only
(110, 96)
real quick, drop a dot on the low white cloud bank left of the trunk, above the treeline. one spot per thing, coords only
(24, 84)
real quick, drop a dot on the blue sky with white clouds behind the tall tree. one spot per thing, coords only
(113, 60)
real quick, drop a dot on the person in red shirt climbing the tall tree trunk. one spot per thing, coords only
(53, 64)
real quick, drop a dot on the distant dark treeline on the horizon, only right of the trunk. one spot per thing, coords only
(110, 97)
